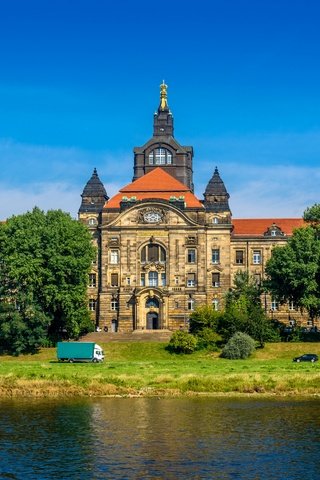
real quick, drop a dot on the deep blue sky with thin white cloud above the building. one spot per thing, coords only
(79, 83)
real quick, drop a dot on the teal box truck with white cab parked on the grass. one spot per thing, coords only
(79, 352)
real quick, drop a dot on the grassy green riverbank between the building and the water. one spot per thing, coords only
(147, 369)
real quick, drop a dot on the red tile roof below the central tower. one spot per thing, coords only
(156, 184)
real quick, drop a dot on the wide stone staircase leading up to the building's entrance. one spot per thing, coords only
(135, 336)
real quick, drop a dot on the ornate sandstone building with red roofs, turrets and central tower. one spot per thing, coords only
(161, 250)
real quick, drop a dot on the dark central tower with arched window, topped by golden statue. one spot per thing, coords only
(162, 150)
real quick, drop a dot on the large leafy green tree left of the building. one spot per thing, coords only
(45, 260)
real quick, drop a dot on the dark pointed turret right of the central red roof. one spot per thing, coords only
(216, 196)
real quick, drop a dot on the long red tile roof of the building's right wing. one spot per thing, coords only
(256, 227)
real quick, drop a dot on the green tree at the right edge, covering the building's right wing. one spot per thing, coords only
(294, 270)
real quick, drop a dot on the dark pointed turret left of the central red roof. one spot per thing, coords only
(94, 195)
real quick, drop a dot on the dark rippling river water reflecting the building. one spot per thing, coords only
(150, 438)
